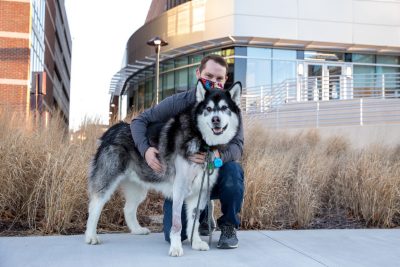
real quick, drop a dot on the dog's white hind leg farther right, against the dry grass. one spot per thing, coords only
(134, 195)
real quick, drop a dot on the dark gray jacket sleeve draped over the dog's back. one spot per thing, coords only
(162, 112)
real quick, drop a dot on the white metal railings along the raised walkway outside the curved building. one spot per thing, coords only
(325, 101)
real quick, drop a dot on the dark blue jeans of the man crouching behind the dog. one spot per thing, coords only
(229, 189)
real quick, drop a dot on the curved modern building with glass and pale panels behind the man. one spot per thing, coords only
(332, 62)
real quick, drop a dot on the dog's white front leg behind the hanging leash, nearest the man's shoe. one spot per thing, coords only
(191, 205)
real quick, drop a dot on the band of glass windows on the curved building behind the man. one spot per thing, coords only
(269, 68)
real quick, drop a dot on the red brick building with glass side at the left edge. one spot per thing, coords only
(35, 57)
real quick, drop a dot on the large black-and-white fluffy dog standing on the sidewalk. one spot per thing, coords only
(212, 122)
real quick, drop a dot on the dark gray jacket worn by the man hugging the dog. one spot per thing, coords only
(169, 108)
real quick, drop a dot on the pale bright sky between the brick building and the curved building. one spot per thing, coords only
(99, 30)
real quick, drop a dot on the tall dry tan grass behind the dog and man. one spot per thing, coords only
(290, 179)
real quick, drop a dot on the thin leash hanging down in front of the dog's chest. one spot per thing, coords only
(209, 170)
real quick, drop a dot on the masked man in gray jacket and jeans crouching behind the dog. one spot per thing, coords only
(230, 186)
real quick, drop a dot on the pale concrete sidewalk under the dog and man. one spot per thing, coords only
(363, 247)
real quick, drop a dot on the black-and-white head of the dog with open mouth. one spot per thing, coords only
(218, 113)
